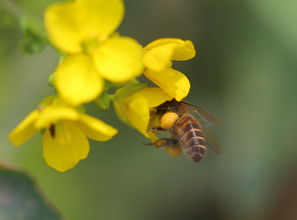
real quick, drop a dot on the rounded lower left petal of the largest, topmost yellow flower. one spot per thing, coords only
(77, 80)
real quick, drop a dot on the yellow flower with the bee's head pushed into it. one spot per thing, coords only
(138, 109)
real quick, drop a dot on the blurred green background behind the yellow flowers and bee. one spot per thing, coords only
(244, 72)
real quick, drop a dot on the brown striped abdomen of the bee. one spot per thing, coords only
(190, 136)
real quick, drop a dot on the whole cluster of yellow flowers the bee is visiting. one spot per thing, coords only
(84, 31)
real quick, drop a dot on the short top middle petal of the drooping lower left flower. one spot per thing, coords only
(52, 114)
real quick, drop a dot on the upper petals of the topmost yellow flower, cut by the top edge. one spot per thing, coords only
(72, 23)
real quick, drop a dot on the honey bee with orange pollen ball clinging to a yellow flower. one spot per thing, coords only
(187, 132)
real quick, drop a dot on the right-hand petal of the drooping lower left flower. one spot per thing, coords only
(95, 129)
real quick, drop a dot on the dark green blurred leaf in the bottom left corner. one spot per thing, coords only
(21, 199)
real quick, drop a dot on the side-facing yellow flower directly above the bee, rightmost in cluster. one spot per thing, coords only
(158, 58)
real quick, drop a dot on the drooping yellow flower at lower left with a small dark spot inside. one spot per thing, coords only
(65, 133)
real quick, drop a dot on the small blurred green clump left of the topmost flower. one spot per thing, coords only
(34, 38)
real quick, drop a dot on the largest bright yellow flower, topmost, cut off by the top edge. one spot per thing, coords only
(84, 29)
